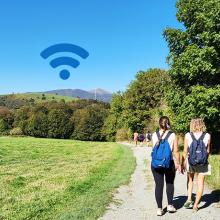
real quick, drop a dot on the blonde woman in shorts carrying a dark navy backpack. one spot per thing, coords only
(196, 151)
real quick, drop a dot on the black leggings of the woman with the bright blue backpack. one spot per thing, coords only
(159, 182)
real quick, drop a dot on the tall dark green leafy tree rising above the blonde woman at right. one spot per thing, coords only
(194, 59)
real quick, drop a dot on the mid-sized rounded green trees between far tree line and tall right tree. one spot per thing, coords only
(132, 110)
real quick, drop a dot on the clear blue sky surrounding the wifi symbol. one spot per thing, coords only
(122, 37)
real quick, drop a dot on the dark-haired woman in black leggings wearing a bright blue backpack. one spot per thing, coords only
(162, 164)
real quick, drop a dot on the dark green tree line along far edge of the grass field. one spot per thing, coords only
(79, 119)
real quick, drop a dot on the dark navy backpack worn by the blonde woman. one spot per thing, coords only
(198, 154)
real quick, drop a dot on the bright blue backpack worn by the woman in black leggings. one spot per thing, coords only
(162, 155)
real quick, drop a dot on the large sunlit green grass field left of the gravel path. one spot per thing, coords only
(60, 179)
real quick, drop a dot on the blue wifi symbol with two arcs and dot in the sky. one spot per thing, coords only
(64, 60)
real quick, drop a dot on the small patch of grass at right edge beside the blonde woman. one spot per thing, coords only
(214, 179)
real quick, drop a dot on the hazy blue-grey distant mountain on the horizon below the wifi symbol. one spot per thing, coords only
(99, 94)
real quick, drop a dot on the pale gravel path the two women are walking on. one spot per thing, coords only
(136, 201)
